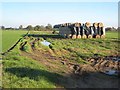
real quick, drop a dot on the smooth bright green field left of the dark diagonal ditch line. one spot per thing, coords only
(9, 38)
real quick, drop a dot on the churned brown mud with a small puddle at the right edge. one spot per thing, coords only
(109, 65)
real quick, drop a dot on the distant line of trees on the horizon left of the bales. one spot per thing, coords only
(30, 27)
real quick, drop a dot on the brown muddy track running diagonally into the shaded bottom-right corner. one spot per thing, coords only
(86, 79)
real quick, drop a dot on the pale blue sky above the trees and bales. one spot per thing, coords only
(42, 13)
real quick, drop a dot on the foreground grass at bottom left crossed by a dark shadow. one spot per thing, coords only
(22, 72)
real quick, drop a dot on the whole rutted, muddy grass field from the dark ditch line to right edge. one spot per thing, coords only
(64, 63)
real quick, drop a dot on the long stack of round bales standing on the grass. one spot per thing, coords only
(79, 30)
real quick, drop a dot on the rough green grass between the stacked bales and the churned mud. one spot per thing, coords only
(80, 49)
